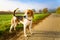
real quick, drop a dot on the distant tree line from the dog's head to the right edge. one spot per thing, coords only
(46, 10)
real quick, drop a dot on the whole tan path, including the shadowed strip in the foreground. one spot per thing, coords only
(48, 29)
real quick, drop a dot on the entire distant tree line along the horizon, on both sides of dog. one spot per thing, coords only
(44, 10)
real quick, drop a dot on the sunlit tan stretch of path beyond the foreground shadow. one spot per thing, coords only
(51, 23)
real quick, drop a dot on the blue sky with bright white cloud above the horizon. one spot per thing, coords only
(6, 5)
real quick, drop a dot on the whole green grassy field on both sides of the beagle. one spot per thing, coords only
(5, 21)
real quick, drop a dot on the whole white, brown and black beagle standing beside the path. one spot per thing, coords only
(26, 20)
